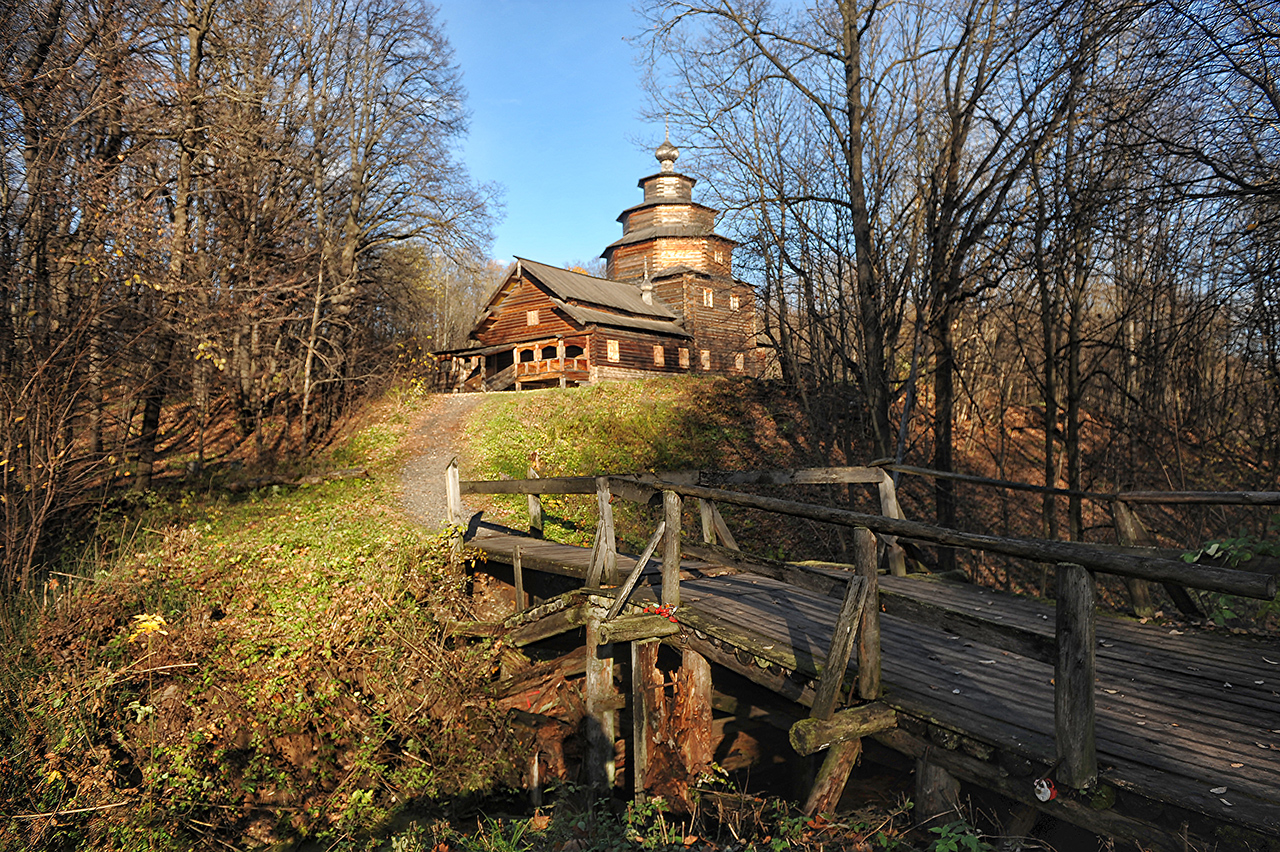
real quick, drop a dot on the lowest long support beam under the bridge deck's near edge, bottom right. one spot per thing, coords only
(1020, 789)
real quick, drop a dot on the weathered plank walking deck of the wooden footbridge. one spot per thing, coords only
(1180, 713)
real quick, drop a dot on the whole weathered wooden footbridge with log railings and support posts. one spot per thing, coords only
(1165, 738)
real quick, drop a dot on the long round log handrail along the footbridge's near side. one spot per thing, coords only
(1224, 580)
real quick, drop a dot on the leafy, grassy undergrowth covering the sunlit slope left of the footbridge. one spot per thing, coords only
(291, 680)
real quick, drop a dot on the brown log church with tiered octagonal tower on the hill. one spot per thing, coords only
(670, 305)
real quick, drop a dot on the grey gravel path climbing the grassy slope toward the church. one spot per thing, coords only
(437, 439)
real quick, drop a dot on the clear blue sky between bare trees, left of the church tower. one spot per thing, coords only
(555, 99)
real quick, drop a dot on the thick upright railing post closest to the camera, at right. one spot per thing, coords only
(1075, 677)
